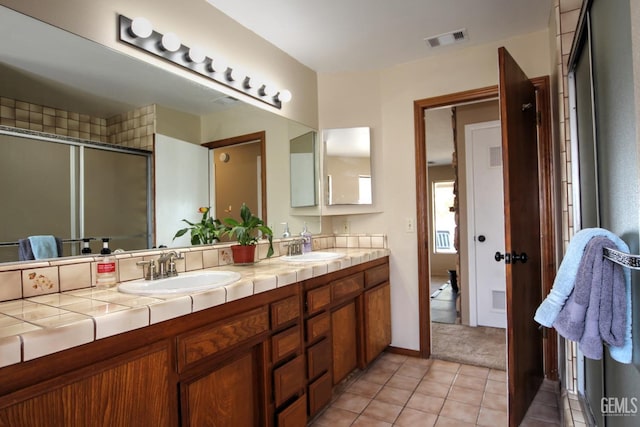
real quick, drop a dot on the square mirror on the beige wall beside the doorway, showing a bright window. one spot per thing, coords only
(347, 165)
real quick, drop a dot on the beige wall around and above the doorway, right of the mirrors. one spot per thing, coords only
(383, 100)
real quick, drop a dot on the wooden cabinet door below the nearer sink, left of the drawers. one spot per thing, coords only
(226, 397)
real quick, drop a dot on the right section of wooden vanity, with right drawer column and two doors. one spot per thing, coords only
(347, 325)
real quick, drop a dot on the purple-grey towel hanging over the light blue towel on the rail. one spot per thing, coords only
(596, 309)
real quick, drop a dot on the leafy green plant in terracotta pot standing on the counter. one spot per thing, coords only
(246, 234)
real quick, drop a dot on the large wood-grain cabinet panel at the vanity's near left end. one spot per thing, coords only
(134, 390)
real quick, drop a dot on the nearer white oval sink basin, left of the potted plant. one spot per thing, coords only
(184, 283)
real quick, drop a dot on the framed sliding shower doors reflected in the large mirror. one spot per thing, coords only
(72, 190)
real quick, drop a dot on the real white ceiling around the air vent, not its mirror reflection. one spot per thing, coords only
(358, 35)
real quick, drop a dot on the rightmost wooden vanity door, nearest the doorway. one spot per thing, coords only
(377, 321)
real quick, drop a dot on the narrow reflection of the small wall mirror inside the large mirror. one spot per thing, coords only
(303, 170)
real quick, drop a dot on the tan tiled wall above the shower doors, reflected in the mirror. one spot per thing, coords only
(133, 129)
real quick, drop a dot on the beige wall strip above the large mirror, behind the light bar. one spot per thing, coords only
(197, 23)
